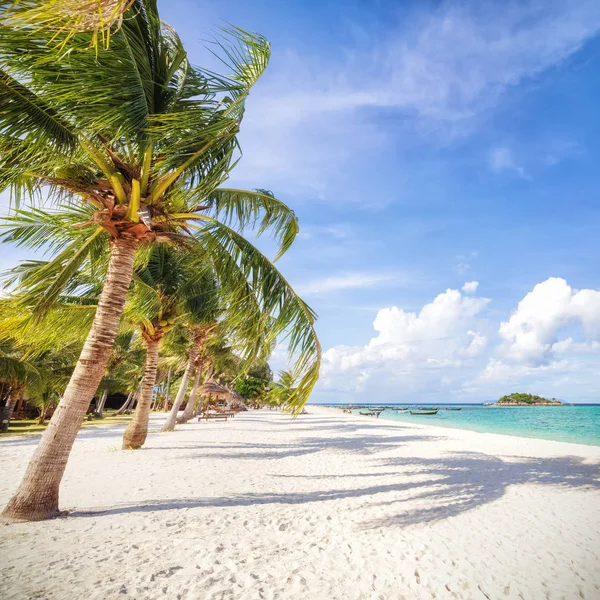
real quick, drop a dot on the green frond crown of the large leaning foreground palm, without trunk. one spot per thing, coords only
(145, 155)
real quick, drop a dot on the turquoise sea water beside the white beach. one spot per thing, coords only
(579, 424)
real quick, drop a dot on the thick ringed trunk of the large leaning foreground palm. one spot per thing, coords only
(37, 495)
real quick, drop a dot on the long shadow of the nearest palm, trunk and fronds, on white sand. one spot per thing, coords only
(455, 484)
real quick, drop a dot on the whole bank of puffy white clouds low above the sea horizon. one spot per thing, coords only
(449, 349)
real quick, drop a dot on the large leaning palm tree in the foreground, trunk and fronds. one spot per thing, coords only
(145, 153)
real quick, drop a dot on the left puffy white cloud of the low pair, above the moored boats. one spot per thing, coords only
(419, 349)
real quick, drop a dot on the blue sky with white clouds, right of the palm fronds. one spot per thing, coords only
(423, 146)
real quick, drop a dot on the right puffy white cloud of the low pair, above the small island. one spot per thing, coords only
(540, 327)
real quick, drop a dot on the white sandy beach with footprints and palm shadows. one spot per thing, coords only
(326, 507)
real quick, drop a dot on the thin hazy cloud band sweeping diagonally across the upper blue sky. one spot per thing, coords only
(440, 70)
